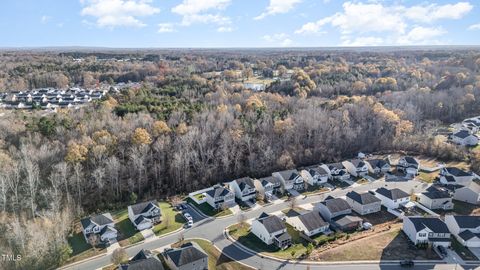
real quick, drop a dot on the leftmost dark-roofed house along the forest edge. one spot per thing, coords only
(101, 225)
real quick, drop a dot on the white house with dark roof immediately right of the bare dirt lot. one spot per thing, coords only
(431, 230)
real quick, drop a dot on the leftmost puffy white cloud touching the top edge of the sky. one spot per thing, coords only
(113, 13)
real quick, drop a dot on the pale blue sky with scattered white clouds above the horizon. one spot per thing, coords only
(237, 23)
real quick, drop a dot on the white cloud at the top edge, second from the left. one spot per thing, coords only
(200, 11)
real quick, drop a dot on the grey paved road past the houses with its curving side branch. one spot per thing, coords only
(212, 229)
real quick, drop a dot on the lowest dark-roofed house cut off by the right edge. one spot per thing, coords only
(466, 229)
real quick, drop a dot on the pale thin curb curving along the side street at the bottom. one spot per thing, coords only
(305, 262)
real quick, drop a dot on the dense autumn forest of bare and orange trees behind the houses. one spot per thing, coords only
(183, 129)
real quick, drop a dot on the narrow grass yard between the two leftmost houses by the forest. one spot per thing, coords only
(127, 234)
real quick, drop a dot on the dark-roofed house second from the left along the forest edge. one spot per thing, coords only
(144, 215)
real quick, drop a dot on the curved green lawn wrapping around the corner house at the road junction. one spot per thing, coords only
(242, 234)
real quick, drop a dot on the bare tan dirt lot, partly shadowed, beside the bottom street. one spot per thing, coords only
(389, 245)
